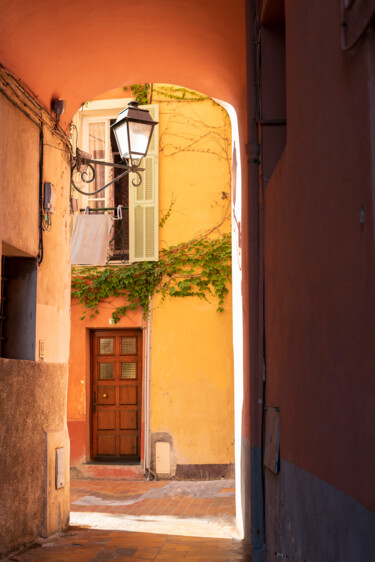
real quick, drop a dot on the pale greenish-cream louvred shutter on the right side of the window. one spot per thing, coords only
(144, 203)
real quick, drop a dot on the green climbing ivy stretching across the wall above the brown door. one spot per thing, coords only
(198, 268)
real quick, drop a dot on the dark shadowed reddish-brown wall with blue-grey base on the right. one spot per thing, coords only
(319, 295)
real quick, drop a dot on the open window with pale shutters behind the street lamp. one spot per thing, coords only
(135, 236)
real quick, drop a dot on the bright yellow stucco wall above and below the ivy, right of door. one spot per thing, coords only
(191, 357)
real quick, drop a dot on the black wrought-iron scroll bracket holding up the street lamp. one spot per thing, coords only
(83, 167)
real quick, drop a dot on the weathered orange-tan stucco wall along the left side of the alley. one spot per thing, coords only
(33, 416)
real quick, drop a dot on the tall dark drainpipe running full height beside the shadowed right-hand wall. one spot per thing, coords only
(256, 499)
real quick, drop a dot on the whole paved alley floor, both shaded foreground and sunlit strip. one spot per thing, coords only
(164, 520)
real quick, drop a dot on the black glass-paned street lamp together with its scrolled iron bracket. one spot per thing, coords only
(133, 130)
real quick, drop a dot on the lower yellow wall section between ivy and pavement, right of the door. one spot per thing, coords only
(192, 380)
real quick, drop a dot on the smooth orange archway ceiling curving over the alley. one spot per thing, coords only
(77, 49)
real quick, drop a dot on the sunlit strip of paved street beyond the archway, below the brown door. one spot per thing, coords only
(175, 507)
